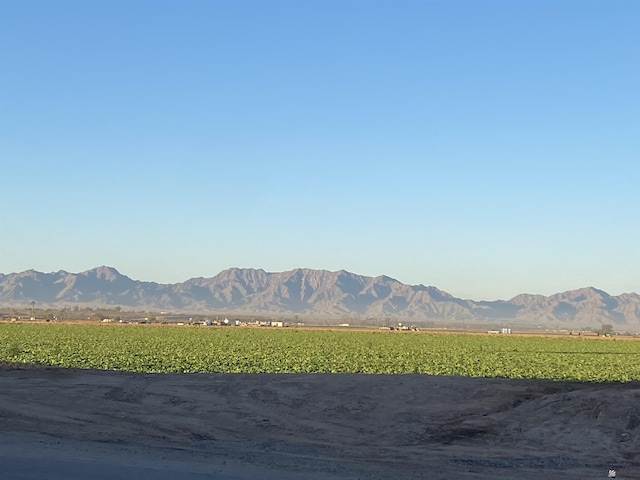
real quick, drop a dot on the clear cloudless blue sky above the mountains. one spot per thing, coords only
(488, 148)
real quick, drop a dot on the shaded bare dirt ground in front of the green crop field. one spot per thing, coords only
(209, 426)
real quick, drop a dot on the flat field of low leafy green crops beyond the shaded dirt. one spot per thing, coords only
(270, 350)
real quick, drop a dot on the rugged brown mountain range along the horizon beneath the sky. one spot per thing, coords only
(314, 292)
